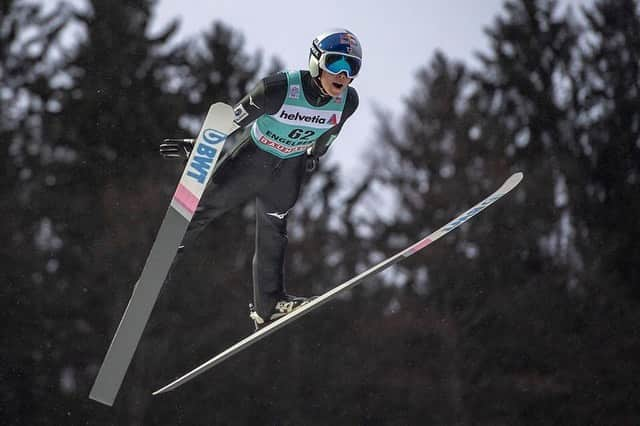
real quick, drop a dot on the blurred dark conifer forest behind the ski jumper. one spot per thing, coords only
(528, 315)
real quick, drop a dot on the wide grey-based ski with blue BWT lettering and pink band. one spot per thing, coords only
(218, 125)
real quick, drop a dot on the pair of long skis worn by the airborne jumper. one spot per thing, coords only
(218, 125)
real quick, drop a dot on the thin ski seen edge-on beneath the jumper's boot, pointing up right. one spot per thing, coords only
(507, 186)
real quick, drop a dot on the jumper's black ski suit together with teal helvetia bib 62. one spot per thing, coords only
(292, 122)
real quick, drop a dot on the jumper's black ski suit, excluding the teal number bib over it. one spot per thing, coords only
(250, 173)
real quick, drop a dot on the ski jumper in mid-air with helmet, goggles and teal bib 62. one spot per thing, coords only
(294, 118)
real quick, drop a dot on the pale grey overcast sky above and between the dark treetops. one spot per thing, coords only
(397, 39)
